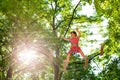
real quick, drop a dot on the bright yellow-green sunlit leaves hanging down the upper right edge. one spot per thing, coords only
(110, 9)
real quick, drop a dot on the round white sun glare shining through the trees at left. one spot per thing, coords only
(27, 56)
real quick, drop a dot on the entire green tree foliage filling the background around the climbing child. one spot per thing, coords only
(45, 22)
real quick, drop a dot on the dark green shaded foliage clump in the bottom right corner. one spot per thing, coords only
(111, 71)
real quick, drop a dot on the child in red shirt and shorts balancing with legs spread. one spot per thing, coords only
(74, 40)
